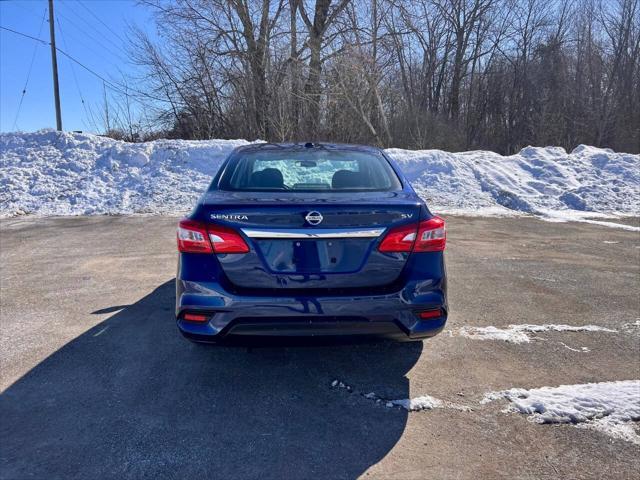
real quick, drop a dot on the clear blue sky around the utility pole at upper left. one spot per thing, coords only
(100, 45)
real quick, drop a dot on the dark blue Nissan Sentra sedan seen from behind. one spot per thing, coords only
(310, 240)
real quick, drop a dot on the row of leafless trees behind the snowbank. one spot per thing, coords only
(452, 74)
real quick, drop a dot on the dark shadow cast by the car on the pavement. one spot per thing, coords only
(132, 399)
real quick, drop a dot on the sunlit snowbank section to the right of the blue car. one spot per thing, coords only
(536, 180)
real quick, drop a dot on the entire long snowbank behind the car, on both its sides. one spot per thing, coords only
(48, 173)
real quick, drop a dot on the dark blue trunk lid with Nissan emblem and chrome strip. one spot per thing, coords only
(310, 240)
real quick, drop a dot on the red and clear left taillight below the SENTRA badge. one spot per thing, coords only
(195, 237)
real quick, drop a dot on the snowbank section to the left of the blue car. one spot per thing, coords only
(48, 173)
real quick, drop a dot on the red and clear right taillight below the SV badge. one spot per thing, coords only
(427, 236)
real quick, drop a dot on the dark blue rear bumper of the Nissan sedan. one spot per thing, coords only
(390, 315)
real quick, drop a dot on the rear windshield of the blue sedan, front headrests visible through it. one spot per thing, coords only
(309, 170)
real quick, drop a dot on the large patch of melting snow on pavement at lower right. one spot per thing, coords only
(609, 407)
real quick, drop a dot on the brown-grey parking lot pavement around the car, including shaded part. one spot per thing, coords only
(97, 382)
